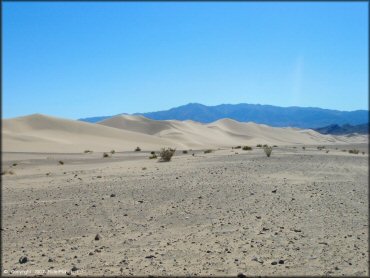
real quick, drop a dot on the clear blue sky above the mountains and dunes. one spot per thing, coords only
(78, 60)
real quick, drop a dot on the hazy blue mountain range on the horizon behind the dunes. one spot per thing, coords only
(302, 117)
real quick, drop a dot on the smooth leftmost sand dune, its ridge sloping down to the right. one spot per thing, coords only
(40, 133)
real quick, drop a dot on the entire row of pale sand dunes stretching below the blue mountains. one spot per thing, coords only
(40, 133)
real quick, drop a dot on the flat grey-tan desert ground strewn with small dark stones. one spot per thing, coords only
(299, 212)
